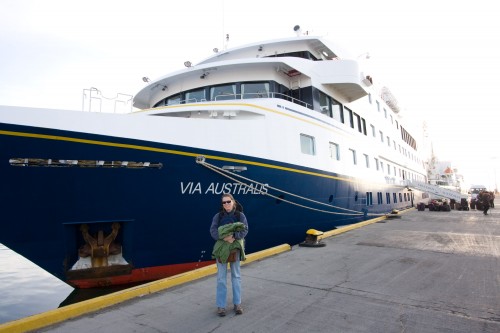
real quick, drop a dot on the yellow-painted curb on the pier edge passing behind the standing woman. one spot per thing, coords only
(74, 310)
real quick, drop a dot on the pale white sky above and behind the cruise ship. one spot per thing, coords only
(439, 58)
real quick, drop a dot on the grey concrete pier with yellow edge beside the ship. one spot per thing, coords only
(423, 272)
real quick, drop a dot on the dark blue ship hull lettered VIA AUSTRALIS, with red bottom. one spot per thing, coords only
(164, 210)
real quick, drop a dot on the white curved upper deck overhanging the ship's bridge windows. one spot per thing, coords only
(293, 63)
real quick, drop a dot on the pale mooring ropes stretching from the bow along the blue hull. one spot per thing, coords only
(201, 160)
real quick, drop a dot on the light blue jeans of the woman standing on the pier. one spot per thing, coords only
(222, 283)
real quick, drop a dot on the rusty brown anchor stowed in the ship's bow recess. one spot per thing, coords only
(101, 247)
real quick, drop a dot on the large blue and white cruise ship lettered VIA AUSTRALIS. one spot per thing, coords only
(291, 127)
